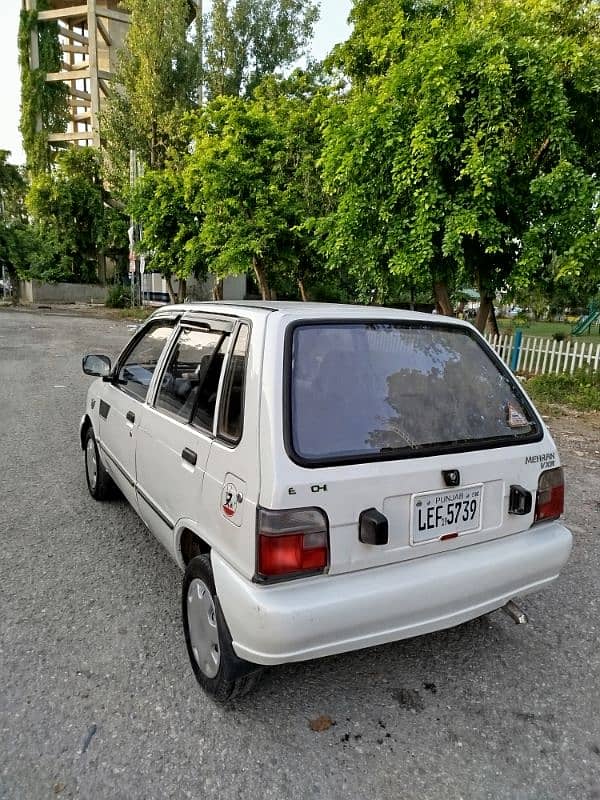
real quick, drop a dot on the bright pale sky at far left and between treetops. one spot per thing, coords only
(331, 28)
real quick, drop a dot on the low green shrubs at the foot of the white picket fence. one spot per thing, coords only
(581, 390)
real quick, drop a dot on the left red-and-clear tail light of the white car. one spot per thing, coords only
(291, 543)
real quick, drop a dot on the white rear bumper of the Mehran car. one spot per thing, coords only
(321, 616)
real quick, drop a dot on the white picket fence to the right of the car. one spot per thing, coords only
(540, 356)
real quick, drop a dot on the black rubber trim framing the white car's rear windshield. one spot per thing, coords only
(434, 450)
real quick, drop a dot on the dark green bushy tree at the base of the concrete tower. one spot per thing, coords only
(72, 224)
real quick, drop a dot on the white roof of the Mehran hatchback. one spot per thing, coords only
(307, 310)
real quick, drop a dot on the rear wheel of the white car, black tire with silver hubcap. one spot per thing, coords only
(218, 670)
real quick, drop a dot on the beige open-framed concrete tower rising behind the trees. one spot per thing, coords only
(90, 36)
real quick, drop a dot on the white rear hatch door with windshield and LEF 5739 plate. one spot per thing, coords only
(416, 428)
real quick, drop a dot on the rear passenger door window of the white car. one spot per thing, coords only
(191, 365)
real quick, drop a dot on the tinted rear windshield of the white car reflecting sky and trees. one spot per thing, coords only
(375, 391)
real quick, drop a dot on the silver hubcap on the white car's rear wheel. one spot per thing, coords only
(202, 626)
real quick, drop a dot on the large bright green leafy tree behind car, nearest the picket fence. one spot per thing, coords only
(466, 128)
